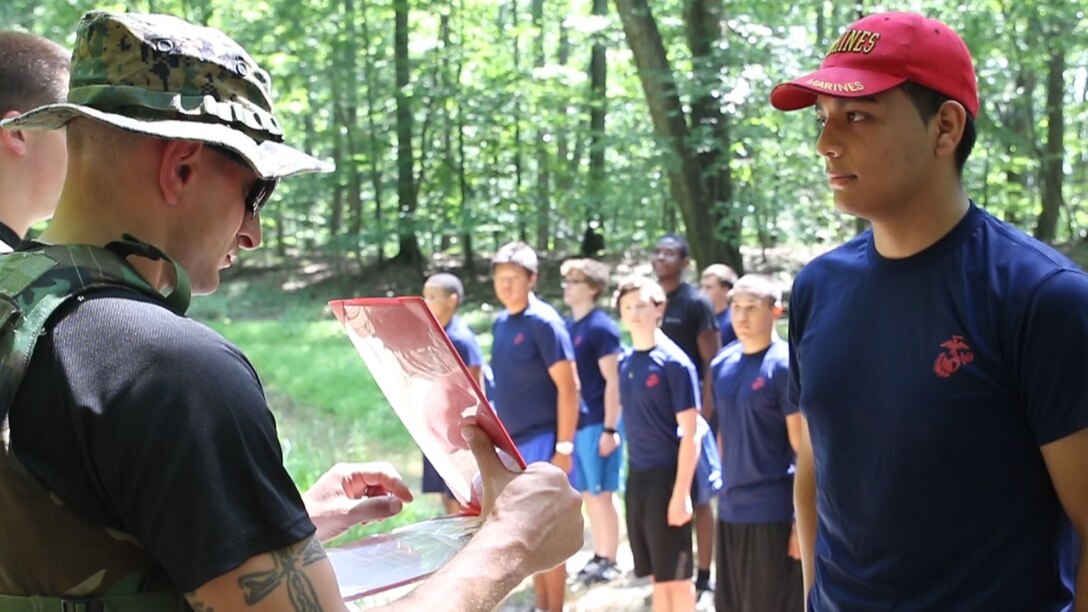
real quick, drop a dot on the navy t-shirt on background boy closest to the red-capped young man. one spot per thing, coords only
(751, 401)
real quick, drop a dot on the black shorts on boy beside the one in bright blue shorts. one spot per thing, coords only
(659, 549)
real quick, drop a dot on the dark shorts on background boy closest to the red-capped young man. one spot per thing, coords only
(756, 572)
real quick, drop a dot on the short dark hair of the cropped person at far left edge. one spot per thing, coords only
(33, 71)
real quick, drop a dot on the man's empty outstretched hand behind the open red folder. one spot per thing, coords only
(352, 494)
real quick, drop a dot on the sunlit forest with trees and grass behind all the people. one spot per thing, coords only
(577, 126)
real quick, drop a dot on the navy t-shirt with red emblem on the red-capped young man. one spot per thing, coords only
(929, 385)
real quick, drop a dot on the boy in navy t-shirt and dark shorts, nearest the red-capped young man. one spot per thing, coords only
(759, 432)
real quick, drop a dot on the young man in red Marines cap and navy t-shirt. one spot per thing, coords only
(938, 360)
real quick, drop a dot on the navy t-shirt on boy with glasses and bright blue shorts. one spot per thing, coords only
(595, 336)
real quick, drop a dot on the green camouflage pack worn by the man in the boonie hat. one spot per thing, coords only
(53, 559)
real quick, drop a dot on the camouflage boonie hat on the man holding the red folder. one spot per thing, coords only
(163, 77)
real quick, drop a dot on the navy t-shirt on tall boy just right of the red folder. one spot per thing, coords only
(525, 347)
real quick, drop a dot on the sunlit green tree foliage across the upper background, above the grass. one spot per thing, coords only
(501, 107)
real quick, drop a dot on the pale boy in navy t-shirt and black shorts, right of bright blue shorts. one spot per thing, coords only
(661, 396)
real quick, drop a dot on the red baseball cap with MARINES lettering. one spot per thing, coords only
(883, 52)
